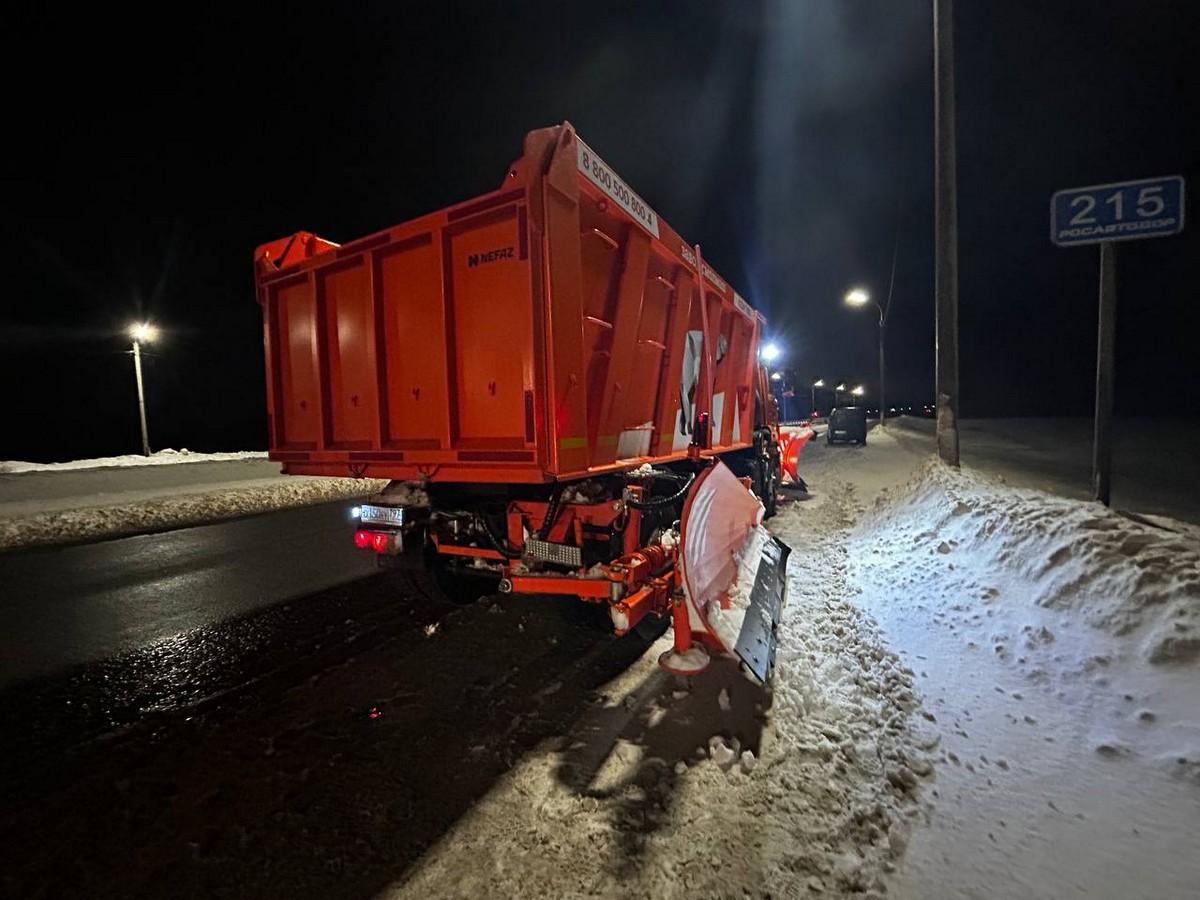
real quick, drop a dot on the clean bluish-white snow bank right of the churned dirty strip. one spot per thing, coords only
(1058, 646)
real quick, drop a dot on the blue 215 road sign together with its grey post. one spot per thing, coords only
(1106, 214)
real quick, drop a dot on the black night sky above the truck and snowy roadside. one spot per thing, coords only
(145, 160)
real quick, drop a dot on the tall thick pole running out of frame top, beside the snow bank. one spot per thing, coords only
(946, 238)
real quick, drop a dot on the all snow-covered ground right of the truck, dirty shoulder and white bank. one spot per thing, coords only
(982, 692)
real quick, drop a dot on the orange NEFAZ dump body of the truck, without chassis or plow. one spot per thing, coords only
(554, 329)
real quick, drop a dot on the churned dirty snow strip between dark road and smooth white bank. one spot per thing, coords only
(712, 787)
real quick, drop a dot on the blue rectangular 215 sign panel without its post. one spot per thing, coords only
(1124, 212)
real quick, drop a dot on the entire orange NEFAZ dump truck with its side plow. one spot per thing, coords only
(565, 398)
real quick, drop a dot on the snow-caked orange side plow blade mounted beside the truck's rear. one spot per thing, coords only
(734, 578)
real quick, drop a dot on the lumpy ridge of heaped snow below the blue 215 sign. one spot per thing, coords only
(1130, 579)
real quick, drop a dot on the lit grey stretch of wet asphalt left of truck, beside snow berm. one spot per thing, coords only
(74, 605)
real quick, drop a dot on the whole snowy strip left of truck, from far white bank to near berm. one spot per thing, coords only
(94, 500)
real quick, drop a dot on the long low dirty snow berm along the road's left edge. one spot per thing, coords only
(179, 511)
